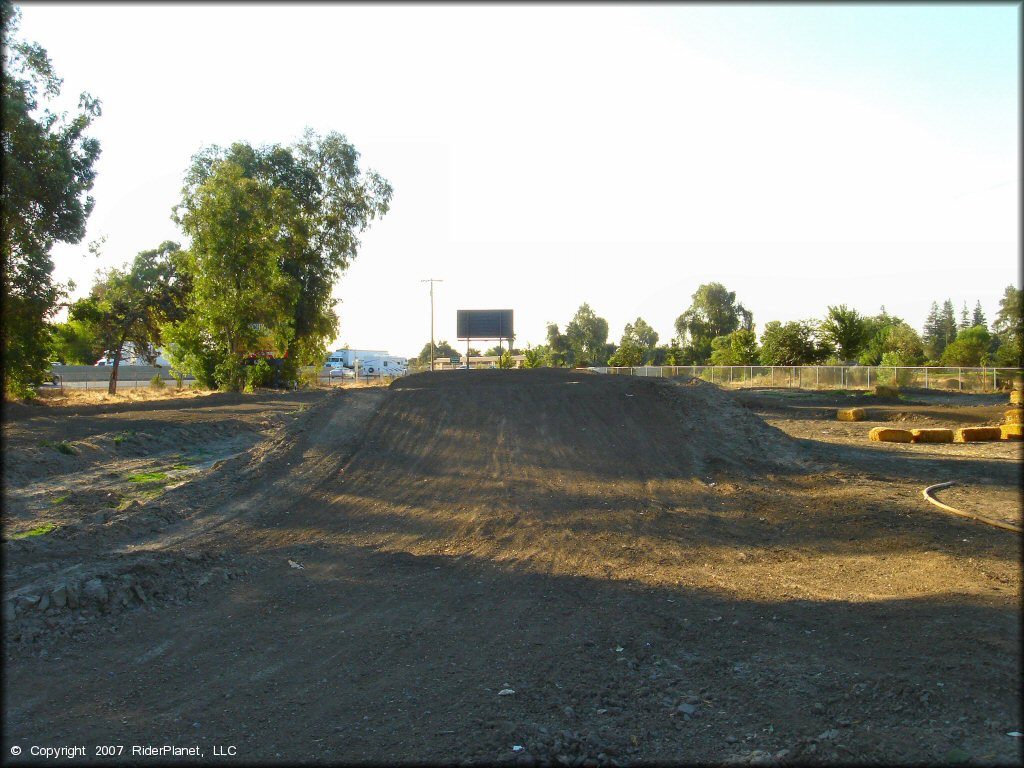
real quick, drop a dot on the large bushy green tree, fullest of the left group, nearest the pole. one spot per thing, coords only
(303, 209)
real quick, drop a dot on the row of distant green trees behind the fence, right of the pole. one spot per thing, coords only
(717, 330)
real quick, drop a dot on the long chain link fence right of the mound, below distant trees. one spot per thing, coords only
(841, 377)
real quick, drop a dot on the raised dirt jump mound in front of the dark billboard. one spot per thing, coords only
(616, 428)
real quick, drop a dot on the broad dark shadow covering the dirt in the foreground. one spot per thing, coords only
(367, 655)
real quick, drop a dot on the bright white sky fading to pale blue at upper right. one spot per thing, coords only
(546, 156)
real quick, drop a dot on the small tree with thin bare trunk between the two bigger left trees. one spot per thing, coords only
(132, 307)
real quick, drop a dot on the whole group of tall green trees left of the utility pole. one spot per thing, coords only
(272, 230)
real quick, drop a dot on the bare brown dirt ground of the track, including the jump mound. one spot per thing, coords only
(529, 567)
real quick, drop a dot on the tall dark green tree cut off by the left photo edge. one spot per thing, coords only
(47, 172)
